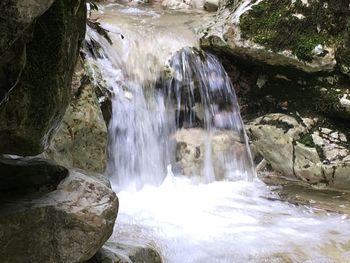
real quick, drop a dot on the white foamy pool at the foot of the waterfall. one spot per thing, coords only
(229, 221)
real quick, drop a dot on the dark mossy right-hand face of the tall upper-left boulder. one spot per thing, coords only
(37, 103)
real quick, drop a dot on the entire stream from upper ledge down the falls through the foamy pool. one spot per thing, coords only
(157, 82)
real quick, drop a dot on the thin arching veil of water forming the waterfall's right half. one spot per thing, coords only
(198, 72)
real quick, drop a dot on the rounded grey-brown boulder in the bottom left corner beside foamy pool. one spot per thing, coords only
(66, 225)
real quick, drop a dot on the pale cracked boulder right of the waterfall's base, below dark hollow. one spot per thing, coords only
(302, 149)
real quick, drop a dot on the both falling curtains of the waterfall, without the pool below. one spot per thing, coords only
(147, 108)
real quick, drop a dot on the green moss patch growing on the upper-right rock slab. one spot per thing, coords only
(272, 24)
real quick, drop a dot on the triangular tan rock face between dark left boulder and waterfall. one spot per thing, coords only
(81, 140)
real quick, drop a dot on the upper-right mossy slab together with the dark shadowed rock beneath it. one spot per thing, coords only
(282, 61)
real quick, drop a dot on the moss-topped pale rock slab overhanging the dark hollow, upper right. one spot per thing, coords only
(312, 37)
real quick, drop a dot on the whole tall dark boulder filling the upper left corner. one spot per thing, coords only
(36, 92)
